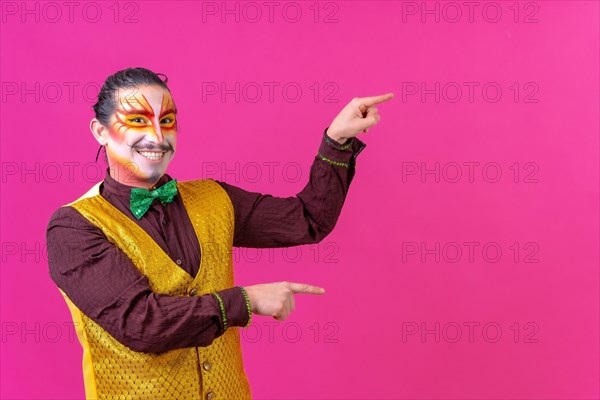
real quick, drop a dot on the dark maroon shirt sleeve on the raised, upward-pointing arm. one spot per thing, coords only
(262, 220)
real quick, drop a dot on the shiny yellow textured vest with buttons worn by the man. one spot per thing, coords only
(112, 370)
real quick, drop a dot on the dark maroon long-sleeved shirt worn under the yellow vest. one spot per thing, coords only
(105, 285)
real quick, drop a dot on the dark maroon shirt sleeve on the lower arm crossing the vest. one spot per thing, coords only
(105, 285)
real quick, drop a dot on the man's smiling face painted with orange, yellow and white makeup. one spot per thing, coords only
(142, 135)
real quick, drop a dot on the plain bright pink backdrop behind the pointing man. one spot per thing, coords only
(376, 291)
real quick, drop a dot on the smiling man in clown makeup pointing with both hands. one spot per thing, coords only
(144, 262)
